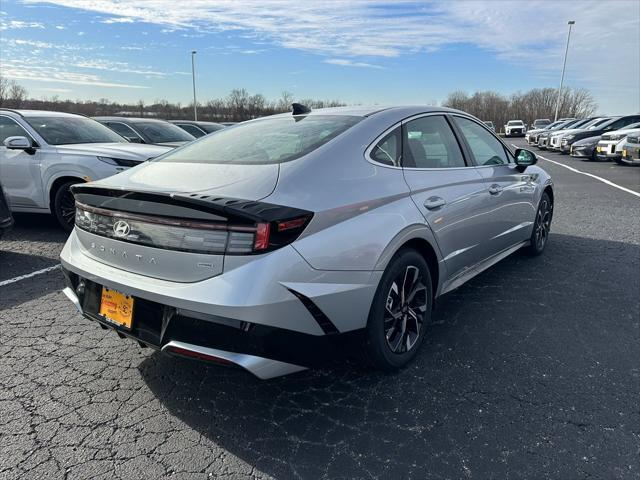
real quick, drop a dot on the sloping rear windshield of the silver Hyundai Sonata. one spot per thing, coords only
(272, 140)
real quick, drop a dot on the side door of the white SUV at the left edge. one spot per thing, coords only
(20, 169)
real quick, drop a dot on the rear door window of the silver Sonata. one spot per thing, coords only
(429, 142)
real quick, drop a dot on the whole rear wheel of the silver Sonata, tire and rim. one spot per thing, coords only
(397, 319)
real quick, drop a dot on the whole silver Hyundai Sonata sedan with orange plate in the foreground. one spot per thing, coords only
(279, 242)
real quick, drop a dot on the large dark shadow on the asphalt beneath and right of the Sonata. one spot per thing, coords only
(514, 360)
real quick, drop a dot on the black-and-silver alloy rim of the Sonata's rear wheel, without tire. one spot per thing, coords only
(405, 310)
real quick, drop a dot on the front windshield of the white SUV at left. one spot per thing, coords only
(72, 130)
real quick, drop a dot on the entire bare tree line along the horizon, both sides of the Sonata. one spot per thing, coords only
(240, 105)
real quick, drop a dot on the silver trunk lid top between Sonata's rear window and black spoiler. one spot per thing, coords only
(247, 182)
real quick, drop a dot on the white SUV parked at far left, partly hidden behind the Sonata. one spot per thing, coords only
(43, 153)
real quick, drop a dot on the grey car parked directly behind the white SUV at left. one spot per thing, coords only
(147, 130)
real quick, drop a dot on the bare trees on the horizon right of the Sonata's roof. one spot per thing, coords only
(528, 106)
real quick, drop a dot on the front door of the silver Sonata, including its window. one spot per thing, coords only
(511, 192)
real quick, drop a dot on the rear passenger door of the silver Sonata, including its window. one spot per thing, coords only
(446, 188)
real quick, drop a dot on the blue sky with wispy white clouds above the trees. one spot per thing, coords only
(358, 51)
